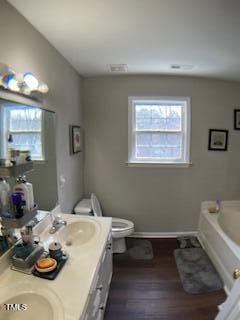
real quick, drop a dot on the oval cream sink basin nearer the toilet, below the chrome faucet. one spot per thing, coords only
(78, 233)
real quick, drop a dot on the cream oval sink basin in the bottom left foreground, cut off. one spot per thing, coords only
(24, 302)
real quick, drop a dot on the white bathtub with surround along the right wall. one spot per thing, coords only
(219, 234)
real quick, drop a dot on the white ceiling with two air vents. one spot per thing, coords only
(147, 35)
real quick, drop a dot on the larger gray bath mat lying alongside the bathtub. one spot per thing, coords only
(196, 271)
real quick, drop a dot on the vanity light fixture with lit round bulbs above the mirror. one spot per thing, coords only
(24, 83)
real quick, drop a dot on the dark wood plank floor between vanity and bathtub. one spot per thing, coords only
(152, 290)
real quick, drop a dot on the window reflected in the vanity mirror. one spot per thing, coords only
(25, 125)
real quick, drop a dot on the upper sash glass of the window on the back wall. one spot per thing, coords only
(158, 117)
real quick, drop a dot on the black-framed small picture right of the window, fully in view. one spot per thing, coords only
(218, 140)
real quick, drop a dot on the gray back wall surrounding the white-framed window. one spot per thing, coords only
(159, 199)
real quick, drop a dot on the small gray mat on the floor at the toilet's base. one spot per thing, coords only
(137, 249)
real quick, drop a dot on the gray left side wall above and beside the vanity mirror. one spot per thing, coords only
(24, 48)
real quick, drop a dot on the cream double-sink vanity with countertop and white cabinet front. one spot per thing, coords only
(75, 290)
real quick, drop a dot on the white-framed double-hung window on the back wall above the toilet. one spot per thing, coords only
(159, 130)
